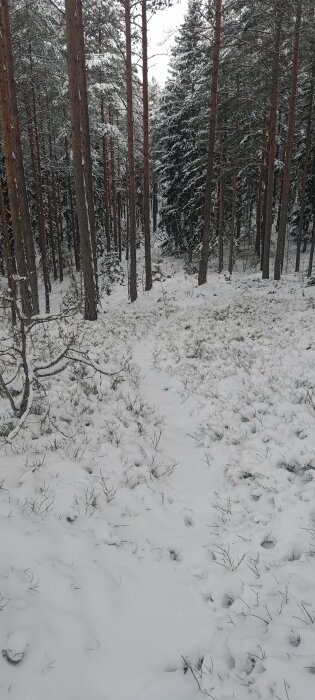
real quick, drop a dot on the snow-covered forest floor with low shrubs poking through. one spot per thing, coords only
(158, 528)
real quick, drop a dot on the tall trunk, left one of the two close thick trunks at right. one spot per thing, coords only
(272, 140)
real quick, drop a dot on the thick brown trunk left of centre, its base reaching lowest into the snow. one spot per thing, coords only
(78, 124)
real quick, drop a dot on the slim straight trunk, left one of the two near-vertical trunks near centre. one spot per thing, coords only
(131, 160)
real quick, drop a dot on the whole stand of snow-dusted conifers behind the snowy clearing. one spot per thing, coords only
(91, 149)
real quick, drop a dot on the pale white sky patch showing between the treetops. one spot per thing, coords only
(162, 29)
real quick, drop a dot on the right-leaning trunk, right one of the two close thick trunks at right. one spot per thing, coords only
(284, 200)
